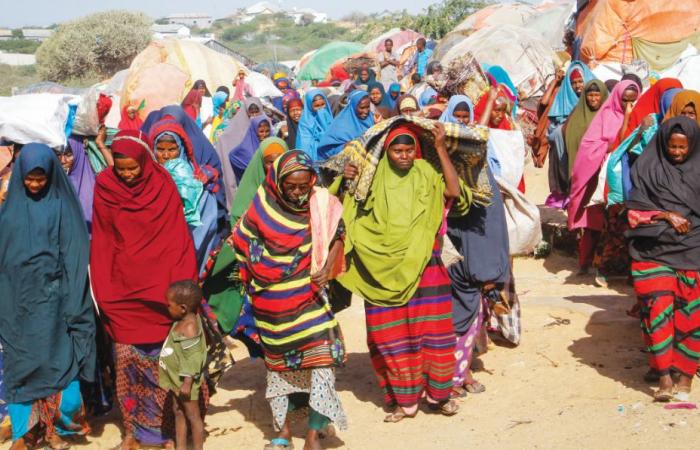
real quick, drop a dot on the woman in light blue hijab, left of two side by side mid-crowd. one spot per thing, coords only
(315, 120)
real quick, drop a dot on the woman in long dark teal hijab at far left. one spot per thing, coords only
(47, 324)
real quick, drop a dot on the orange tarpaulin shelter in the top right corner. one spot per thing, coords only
(657, 31)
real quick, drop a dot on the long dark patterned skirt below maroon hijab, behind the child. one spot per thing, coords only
(141, 400)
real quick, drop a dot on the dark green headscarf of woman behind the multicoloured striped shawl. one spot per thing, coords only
(223, 294)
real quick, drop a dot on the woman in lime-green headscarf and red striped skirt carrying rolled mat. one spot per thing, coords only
(395, 265)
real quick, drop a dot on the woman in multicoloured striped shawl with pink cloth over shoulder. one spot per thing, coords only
(289, 244)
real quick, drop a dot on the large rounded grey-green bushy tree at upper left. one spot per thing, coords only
(100, 44)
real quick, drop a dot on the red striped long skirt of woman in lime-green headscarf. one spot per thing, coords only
(412, 346)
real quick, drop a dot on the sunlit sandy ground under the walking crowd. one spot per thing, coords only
(574, 382)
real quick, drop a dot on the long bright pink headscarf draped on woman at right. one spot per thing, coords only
(601, 133)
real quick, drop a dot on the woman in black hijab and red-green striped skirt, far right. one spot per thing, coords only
(664, 214)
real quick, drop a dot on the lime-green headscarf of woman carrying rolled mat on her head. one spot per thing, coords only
(390, 235)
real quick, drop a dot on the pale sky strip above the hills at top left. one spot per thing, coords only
(18, 13)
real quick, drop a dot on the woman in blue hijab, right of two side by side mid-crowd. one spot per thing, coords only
(350, 124)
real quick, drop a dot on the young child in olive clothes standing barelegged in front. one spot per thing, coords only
(182, 361)
